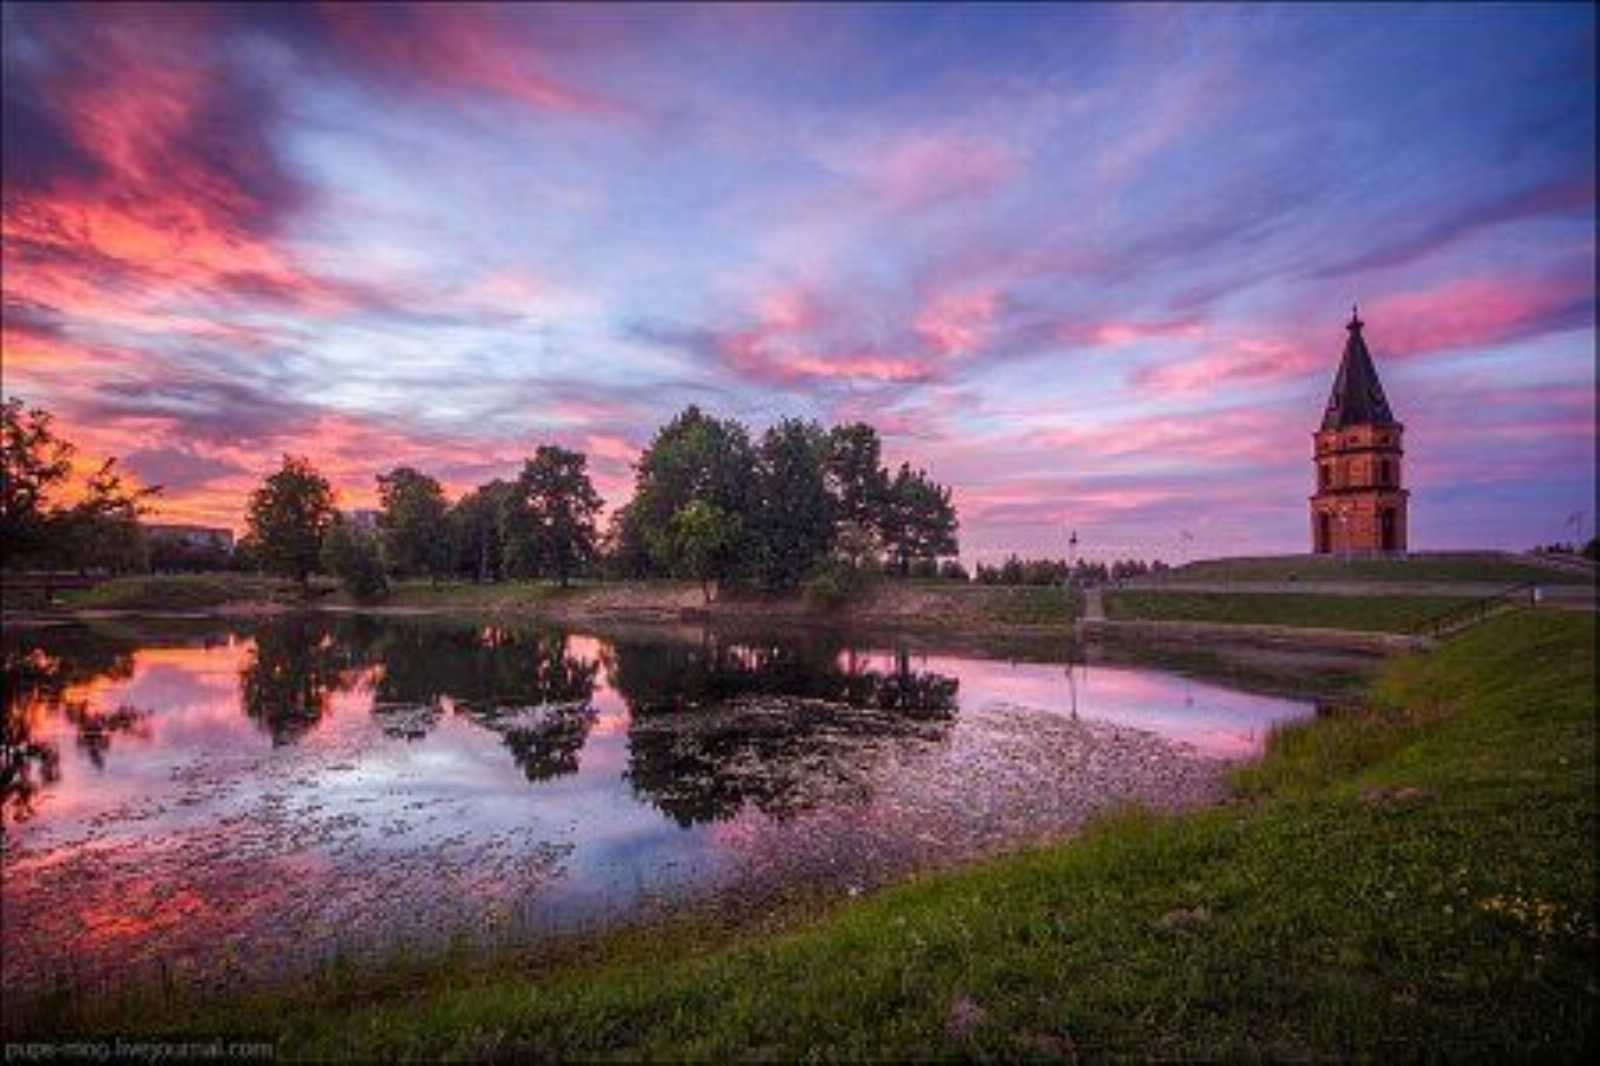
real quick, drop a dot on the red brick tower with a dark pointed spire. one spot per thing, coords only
(1359, 505)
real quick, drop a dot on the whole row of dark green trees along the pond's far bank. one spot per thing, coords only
(799, 507)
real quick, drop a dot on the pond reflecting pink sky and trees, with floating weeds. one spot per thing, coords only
(241, 799)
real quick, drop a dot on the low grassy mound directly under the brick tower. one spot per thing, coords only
(1465, 567)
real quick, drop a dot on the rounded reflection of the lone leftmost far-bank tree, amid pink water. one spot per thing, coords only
(298, 662)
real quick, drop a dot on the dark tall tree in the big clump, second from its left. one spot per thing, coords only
(794, 510)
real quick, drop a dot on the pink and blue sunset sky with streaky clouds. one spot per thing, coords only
(1090, 266)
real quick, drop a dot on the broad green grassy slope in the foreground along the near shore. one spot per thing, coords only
(1409, 881)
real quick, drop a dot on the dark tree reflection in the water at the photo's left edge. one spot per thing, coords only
(39, 667)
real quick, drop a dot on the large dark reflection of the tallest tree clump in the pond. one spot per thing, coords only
(780, 726)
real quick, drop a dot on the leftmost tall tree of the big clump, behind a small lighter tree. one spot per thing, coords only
(694, 457)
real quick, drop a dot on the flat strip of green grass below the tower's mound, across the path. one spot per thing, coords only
(1369, 614)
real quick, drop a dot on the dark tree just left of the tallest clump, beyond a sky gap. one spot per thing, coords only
(550, 519)
